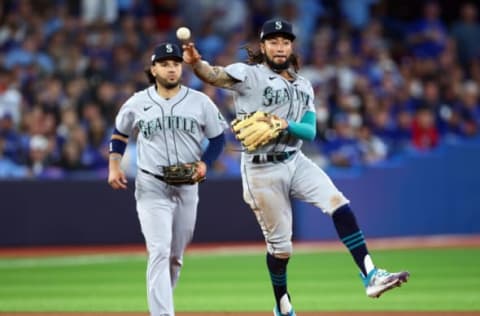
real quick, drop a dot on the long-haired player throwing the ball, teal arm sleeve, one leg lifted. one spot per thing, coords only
(277, 171)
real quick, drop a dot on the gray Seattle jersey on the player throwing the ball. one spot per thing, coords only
(261, 89)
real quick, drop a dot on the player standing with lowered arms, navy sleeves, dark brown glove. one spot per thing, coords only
(172, 121)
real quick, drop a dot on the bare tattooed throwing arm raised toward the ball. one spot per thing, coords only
(214, 75)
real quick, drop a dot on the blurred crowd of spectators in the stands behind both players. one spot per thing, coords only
(384, 85)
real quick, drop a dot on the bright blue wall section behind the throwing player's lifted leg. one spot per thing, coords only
(418, 194)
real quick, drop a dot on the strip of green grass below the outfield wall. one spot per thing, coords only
(441, 280)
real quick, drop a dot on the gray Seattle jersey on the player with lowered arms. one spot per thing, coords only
(170, 131)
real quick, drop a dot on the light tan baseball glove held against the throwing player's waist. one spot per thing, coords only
(257, 129)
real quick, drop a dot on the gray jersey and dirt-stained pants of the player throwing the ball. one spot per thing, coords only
(269, 186)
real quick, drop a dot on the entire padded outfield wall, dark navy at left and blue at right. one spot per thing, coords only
(415, 195)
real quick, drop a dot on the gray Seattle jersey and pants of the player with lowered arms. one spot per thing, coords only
(170, 131)
